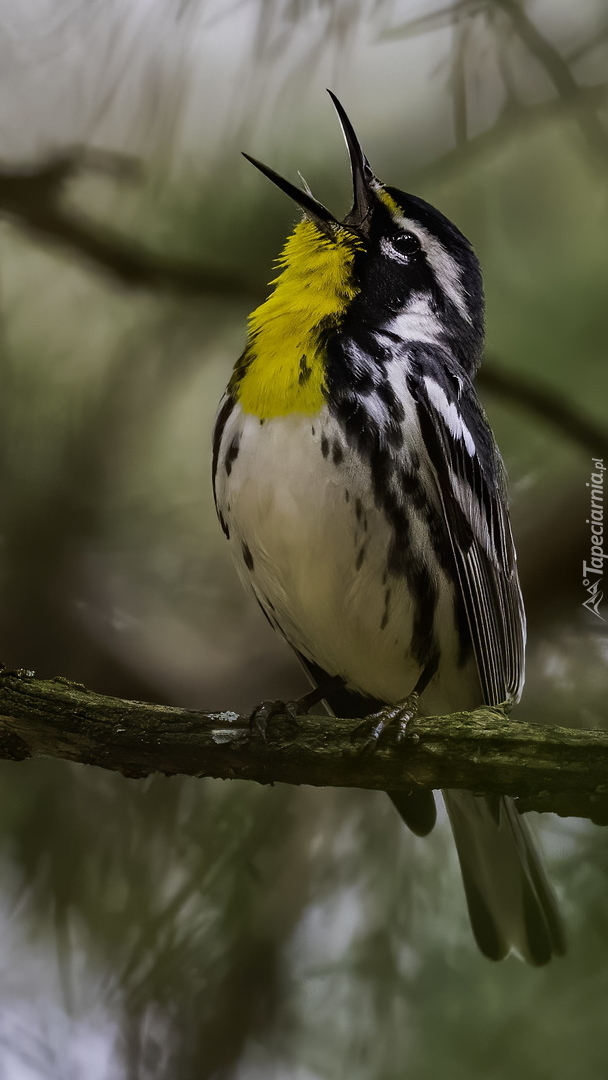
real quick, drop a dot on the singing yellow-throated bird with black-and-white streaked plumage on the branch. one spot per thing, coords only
(359, 484)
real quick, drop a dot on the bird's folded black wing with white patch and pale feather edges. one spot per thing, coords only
(474, 494)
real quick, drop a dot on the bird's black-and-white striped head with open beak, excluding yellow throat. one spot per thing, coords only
(413, 267)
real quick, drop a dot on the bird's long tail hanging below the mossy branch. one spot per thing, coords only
(511, 903)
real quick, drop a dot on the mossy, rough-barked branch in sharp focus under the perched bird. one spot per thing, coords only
(548, 769)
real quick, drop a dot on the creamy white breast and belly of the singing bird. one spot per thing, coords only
(307, 536)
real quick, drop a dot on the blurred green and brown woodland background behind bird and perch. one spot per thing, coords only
(175, 928)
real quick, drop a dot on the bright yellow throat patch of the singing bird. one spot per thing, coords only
(282, 370)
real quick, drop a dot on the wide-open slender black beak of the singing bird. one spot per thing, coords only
(362, 178)
